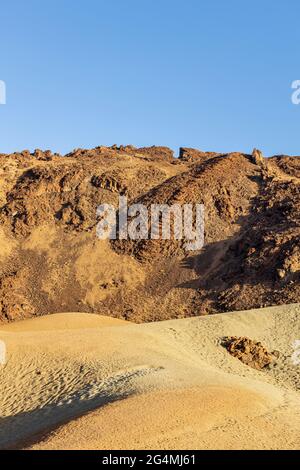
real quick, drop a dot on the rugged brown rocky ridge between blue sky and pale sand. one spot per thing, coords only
(52, 261)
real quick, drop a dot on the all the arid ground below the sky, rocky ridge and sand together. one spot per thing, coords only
(150, 359)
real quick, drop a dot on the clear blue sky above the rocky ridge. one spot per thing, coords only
(211, 74)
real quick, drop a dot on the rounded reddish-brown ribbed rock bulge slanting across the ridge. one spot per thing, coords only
(223, 185)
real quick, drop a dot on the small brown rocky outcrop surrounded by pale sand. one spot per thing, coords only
(249, 352)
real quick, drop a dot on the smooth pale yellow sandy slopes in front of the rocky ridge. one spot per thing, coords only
(79, 381)
